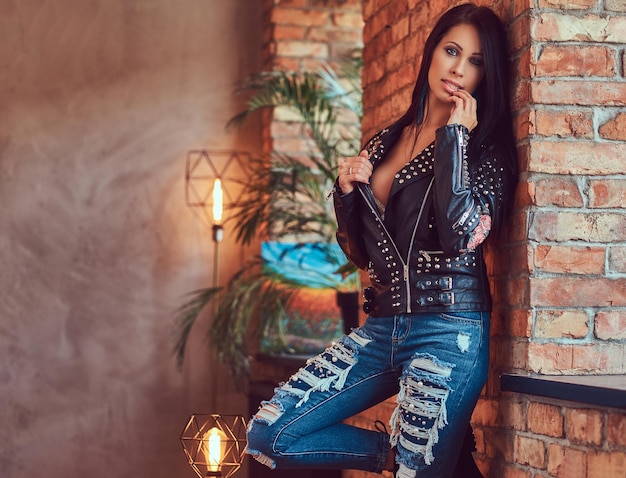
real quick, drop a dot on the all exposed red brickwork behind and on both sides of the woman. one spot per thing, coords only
(560, 280)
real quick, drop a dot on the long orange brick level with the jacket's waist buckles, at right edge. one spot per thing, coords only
(578, 292)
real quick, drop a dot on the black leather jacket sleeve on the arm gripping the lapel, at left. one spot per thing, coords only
(349, 234)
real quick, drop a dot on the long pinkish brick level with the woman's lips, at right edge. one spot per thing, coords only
(578, 92)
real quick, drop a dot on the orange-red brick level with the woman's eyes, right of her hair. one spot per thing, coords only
(576, 61)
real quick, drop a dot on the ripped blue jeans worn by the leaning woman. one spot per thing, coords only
(435, 363)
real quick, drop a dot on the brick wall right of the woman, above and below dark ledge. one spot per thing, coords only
(565, 310)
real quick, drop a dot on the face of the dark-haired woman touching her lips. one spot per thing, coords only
(457, 63)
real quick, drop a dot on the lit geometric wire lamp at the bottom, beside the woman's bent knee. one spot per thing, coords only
(214, 444)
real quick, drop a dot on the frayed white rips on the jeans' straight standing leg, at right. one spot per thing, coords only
(421, 410)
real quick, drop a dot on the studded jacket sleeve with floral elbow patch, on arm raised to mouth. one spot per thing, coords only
(465, 201)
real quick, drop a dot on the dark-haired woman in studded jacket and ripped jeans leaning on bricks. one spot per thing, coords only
(414, 209)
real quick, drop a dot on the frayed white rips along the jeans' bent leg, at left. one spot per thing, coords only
(328, 369)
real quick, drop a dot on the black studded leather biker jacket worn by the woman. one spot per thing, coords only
(423, 252)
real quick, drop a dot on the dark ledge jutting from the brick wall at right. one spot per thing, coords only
(602, 390)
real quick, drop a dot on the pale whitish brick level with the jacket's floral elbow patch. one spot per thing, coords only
(572, 226)
